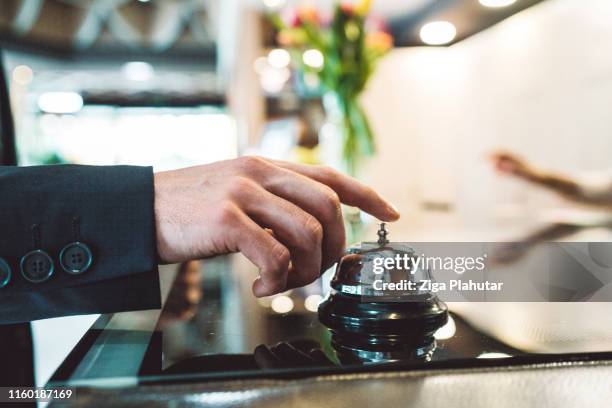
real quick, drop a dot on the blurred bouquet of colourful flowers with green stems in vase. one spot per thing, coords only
(342, 52)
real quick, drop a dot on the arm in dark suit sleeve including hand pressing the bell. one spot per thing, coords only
(130, 220)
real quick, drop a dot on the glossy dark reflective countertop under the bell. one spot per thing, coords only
(212, 328)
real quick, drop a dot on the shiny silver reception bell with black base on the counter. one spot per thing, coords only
(373, 311)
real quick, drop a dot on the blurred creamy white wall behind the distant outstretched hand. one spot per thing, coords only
(538, 83)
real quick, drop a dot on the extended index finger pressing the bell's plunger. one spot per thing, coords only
(350, 191)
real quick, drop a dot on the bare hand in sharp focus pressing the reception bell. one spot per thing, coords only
(284, 217)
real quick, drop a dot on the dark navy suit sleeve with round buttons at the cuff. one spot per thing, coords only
(108, 209)
